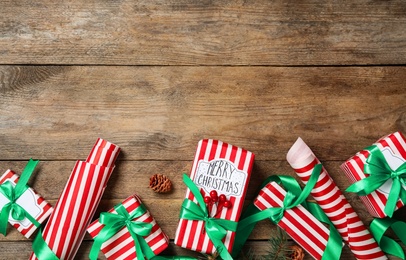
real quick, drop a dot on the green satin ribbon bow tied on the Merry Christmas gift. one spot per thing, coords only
(215, 228)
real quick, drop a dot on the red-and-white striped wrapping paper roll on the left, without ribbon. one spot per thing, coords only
(79, 199)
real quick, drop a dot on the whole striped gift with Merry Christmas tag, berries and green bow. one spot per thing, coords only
(214, 198)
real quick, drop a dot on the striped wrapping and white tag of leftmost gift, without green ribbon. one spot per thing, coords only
(33, 203)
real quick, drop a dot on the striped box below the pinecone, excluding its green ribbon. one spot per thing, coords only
(121, 245)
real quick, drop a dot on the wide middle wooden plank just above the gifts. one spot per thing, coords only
(160, 113)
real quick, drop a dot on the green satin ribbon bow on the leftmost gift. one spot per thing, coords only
(12, 193)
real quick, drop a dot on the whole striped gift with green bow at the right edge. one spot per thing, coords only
(378, 174)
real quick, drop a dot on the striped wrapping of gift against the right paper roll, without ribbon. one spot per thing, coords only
(298, 222)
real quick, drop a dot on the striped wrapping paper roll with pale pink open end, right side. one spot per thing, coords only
(334, 204)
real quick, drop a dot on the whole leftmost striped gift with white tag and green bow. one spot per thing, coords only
(20, 205)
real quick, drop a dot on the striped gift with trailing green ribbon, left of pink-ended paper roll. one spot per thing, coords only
(287, 207)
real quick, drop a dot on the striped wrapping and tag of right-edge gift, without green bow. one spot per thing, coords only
(393, 148)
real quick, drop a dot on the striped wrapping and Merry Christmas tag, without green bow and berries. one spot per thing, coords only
(222, 167)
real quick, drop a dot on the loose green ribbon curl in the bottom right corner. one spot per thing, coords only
(378, 228)
